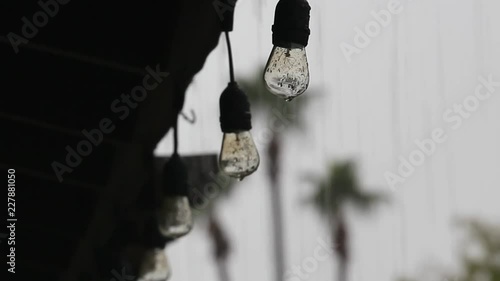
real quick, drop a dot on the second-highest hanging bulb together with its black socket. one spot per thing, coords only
(238, 157)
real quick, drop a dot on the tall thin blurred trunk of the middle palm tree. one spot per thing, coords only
(273, 173)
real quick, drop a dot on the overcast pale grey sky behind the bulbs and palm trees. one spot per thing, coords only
(394, 92)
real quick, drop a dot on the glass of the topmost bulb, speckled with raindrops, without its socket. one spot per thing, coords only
(287, 72)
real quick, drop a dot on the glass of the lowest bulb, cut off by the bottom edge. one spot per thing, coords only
(154, 266)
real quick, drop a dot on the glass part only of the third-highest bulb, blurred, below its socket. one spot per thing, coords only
(175, 216)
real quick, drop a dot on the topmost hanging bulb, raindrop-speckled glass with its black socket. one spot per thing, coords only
(287, 70)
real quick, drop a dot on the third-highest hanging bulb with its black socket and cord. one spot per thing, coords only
(175, 217)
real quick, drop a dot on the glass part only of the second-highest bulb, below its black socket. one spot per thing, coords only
(239, 157)
